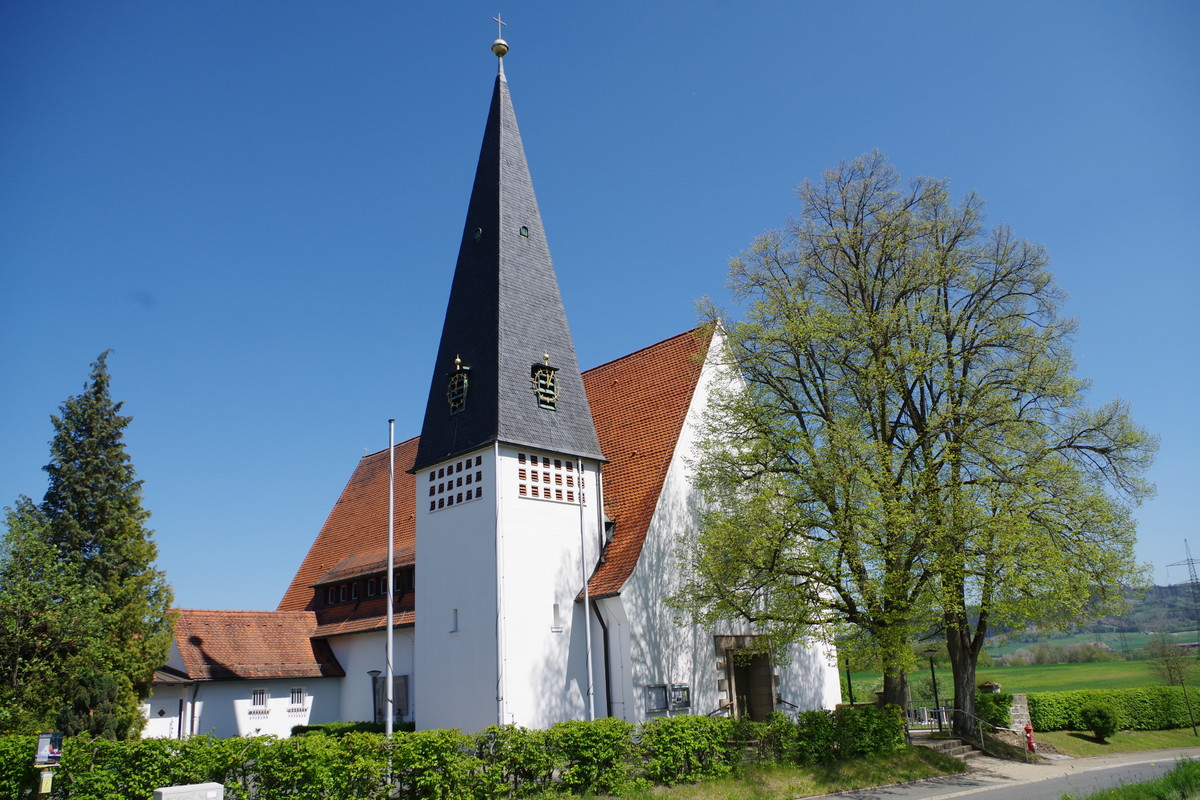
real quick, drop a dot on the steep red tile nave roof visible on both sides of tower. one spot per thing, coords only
(639, 405)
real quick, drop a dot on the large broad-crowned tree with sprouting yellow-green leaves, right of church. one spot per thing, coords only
(909, 448)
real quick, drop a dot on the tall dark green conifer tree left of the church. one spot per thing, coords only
(94, 521)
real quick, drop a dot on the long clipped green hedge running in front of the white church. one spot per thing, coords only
(602, 757)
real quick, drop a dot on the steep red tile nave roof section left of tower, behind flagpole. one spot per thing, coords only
(355, 538)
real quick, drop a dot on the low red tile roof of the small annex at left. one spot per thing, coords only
(224, 645)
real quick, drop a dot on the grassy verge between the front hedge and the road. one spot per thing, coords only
(777, 783)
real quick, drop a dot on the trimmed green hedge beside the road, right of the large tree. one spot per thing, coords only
(1150, 708)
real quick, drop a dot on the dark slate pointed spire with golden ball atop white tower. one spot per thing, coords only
(506, 369)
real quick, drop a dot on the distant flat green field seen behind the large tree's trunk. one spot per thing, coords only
(1051, 678)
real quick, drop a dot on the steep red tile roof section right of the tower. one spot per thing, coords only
(639, 405)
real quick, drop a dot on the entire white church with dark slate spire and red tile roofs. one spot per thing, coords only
(536, 518)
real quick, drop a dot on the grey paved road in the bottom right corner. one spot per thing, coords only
(997, 780)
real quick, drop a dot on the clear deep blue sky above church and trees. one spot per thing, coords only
(259, 207)
